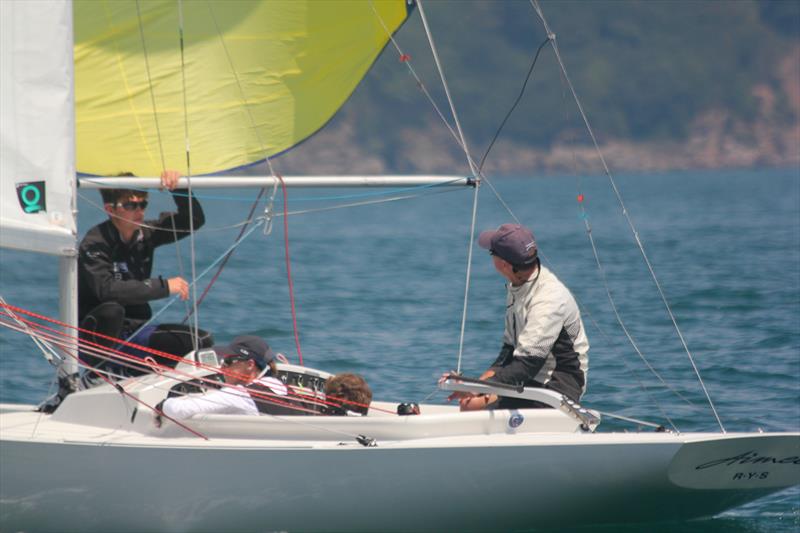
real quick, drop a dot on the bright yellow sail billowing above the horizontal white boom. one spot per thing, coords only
(260, 77)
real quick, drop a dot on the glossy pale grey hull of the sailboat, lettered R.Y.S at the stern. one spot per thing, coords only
(113, 479)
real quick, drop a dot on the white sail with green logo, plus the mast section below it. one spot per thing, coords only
(37, 140)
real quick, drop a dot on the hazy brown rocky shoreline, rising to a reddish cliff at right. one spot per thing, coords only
(714, 140)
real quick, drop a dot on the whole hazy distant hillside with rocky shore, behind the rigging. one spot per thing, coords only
(666, 84)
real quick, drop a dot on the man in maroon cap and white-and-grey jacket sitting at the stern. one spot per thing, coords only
(544, 343)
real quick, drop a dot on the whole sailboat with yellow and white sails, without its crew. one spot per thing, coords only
(100, 462)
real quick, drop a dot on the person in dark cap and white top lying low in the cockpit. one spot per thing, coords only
(243, 361)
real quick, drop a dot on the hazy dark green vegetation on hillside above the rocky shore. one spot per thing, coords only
(645, 70)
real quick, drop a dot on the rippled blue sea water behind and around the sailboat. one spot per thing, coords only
(379, 290)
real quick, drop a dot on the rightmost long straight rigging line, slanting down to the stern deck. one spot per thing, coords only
(552, 37)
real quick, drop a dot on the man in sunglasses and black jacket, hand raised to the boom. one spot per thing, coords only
(115, 281)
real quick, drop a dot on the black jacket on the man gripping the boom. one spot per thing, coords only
(110, 270)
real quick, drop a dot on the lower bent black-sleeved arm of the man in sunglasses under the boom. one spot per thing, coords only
(97, 270)
